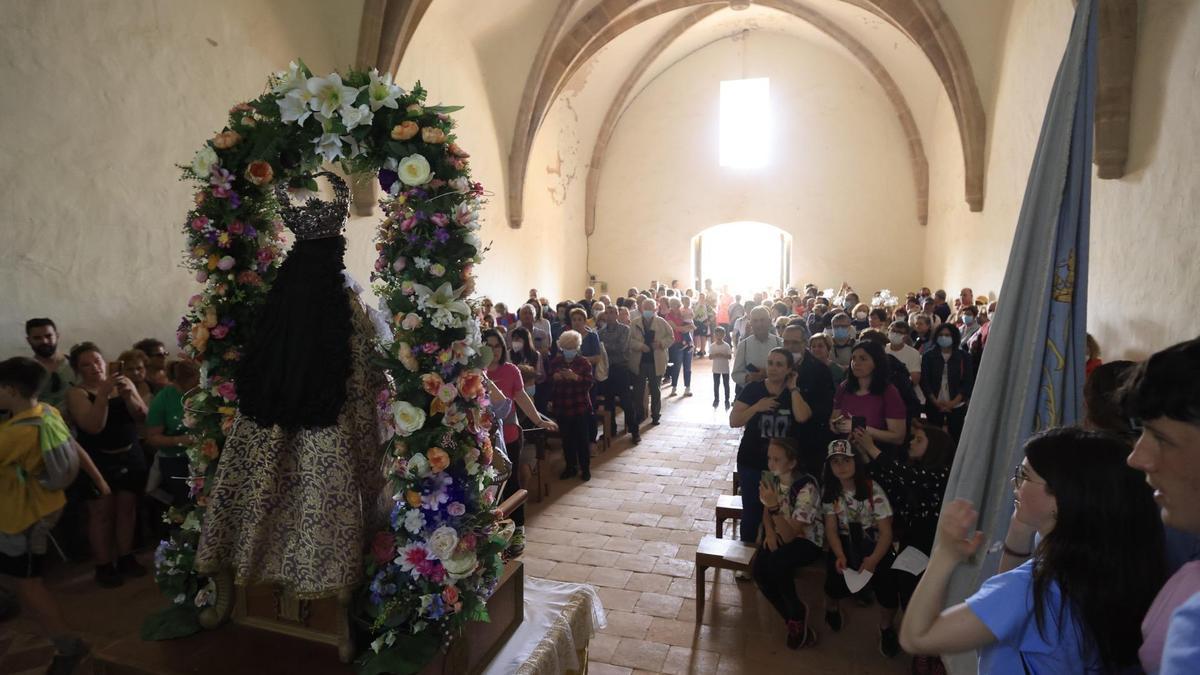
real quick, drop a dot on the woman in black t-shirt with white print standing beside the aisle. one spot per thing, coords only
(766, 409)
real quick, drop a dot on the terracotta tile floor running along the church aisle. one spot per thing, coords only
(632, 533)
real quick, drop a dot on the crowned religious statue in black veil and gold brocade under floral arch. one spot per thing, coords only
(299, 488)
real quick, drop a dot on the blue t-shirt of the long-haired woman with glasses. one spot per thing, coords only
(1005, 605)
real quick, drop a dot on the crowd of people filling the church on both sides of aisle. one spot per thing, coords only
(851, 411)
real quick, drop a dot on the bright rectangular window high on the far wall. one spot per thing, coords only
(746, 123)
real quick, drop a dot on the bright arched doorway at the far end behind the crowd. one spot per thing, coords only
(747, 256)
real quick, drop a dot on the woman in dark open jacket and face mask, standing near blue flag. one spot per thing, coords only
(947, 378)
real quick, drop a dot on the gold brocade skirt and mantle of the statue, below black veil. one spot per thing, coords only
(297, 507)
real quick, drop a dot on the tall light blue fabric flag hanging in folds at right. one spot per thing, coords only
(1033, 372)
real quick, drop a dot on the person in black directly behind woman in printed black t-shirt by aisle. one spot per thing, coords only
(814, 381)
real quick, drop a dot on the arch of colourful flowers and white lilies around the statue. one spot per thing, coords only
(439, 563)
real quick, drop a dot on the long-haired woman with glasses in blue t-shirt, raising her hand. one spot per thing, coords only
(1073, 604)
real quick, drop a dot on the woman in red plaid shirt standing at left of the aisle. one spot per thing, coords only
(572, 375)
